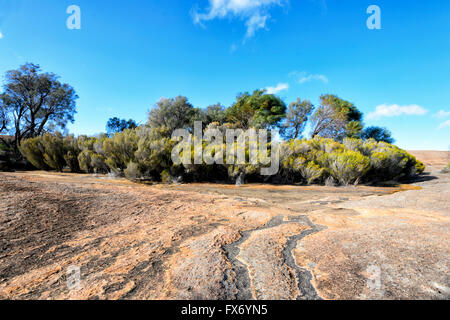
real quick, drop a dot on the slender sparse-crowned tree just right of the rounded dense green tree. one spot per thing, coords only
(296, 118)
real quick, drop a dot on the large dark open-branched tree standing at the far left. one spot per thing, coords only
(35, 102)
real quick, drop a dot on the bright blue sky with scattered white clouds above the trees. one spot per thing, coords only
(129, 54)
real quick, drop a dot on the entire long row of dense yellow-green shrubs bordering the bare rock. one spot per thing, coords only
(145, 154)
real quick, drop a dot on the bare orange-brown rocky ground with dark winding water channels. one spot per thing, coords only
(204, 241)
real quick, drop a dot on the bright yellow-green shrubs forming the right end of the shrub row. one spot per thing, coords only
(351, 162)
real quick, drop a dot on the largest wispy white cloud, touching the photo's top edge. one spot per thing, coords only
(254, 12)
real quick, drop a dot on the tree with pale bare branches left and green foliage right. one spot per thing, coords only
(336, 118)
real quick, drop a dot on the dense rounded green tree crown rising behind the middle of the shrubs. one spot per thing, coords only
(259, 110)
